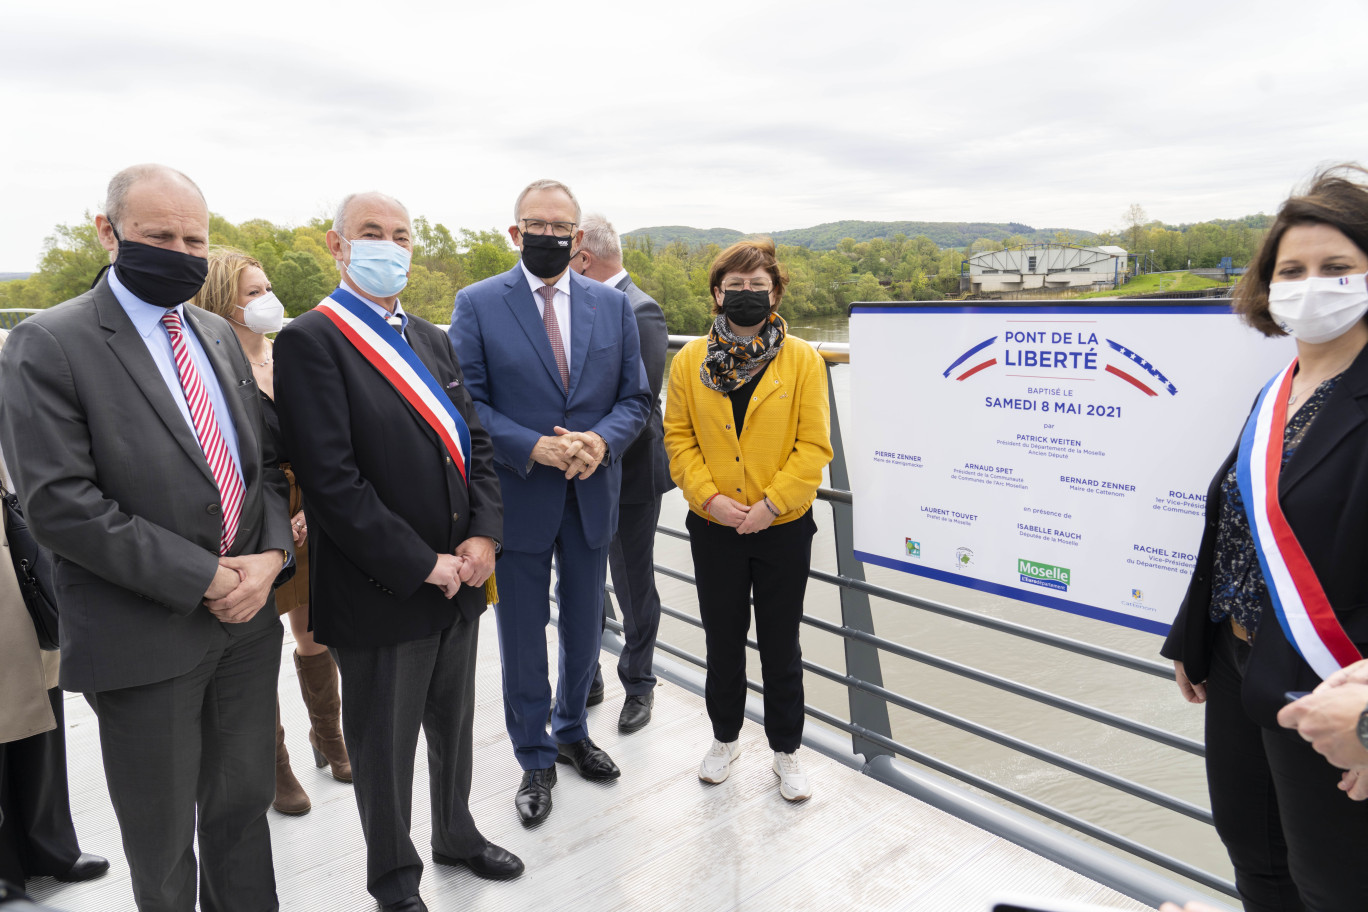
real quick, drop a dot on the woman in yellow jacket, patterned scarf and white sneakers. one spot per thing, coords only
(748, 429)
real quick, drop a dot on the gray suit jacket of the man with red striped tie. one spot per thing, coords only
(114, 482)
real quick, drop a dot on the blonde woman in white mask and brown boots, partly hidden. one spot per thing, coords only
(239, 291)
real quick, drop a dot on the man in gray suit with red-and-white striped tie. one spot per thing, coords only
(133, 430)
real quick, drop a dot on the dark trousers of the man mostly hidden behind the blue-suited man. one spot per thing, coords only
(631, 560)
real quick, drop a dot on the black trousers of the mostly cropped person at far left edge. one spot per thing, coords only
(36, 835)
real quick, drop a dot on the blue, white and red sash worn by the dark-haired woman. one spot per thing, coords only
(1300, 604)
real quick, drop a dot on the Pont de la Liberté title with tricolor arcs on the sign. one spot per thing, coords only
(1079, 353)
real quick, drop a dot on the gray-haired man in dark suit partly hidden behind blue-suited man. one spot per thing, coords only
(646, 478)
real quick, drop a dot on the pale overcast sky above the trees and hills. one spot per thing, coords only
(739, 114)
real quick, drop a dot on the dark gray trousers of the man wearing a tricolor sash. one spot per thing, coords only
(391, 693)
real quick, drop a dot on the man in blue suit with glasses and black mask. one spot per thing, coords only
(553, 364)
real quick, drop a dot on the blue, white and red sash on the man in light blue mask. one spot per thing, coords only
(395, 359)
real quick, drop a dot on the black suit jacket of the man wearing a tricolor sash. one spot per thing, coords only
(381, 492)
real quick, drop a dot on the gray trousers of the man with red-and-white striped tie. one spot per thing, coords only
(199, 743)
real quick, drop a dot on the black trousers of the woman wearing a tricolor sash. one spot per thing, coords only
(1296, 840)
